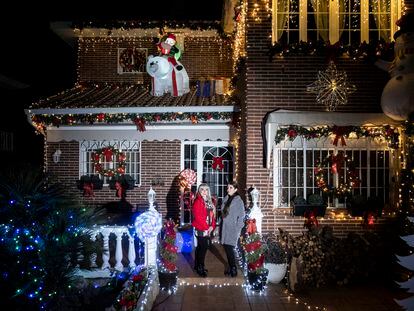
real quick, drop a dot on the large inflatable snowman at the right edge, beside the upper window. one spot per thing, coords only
(397, 100)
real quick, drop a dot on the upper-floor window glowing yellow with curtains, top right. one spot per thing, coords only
(350, 21)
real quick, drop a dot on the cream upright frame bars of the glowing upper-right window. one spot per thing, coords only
(396, 12)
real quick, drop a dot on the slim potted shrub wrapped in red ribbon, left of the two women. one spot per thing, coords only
(167, 270)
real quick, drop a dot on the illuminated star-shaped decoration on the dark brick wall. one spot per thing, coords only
(332, 87)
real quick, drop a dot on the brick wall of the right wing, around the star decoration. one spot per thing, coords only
(281, 83)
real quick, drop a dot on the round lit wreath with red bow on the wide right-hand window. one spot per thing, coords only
(336, 162)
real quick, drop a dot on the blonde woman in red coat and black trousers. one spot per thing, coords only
(204, 223)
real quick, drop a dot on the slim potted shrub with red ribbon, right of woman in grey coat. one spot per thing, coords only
(254, 254)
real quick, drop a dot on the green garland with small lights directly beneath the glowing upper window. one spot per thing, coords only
(365, 51)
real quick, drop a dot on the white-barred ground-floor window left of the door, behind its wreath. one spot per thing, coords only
(132, 150)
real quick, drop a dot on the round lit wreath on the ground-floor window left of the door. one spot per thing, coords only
(108, 155)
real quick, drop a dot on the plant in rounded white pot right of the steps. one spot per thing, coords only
(275, 258)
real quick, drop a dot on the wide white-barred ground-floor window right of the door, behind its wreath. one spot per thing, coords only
(295, 162)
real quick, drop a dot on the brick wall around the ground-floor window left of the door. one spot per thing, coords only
(158, 159)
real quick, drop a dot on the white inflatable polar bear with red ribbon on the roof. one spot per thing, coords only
(165, 78)
